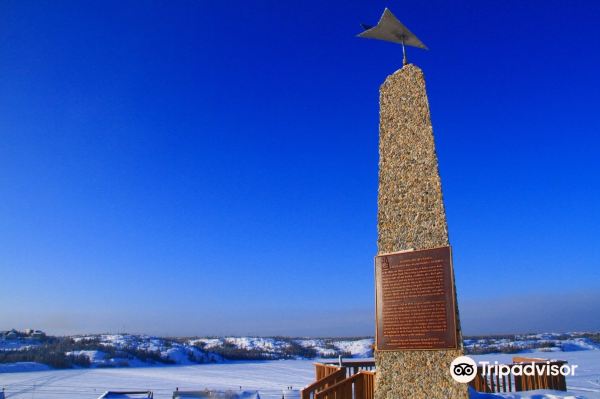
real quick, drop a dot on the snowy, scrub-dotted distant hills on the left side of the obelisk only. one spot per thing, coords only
(126, 350)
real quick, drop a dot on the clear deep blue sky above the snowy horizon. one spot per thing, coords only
(198, 167)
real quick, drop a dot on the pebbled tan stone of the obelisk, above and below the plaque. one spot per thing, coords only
(411, 215)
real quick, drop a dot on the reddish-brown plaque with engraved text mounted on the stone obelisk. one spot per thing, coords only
(415, 300)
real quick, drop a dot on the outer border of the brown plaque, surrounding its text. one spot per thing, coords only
(452, 323)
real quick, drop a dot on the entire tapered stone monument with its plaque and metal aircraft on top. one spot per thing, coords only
(418, 329)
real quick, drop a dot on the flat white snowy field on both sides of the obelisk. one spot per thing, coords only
(270, 378)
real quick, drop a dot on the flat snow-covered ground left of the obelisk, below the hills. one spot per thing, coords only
(270, 378)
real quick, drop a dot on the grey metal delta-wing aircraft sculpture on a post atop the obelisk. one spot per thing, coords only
(390, 29)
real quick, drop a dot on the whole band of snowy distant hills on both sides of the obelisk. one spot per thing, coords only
(128, 350)
